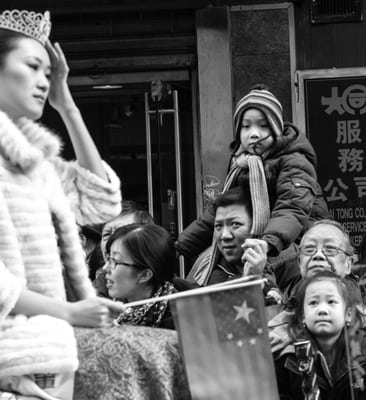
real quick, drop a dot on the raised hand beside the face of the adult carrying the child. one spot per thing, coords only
(254, 256)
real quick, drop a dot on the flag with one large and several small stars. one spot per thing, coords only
(224, 339)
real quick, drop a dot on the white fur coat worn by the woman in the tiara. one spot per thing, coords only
(41, 196)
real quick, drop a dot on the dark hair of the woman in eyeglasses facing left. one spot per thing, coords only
(149, 246)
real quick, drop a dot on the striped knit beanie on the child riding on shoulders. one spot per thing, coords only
(264, 101)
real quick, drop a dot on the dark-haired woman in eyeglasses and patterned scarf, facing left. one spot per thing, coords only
(140, 264)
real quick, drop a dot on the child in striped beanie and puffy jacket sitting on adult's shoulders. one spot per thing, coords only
(276, 163)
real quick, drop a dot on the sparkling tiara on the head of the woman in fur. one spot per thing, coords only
(30, 23)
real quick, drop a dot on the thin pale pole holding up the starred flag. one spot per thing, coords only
(235, 283)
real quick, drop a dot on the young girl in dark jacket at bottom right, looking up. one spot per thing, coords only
(330, 359)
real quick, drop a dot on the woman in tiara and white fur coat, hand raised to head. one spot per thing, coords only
(41, 198)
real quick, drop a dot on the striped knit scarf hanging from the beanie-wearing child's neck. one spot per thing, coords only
(260, 205)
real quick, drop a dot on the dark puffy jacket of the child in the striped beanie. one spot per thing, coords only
(295, 196)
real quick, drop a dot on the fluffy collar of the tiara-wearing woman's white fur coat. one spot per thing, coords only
(27, 143)
